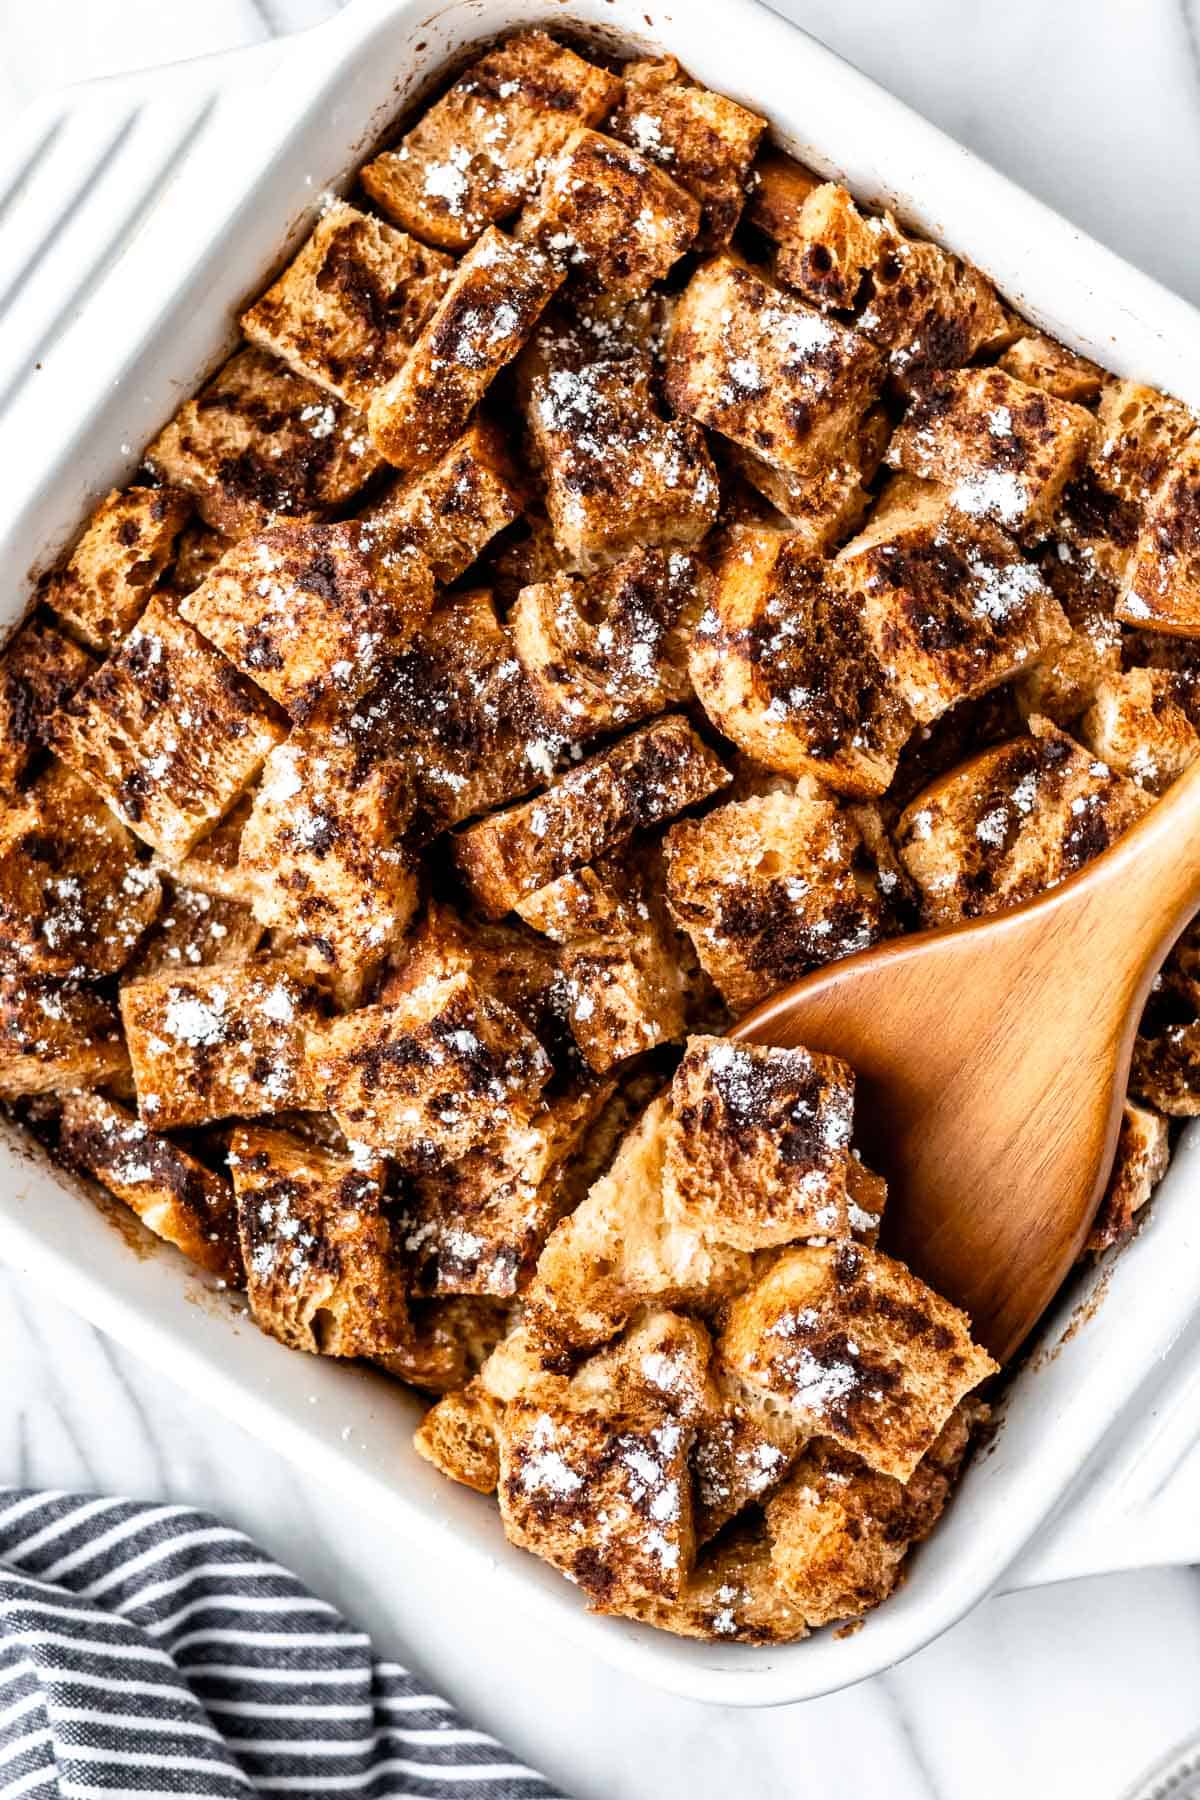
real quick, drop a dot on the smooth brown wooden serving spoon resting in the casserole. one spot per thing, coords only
(992, 1063)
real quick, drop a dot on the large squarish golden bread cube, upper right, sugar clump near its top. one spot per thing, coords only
(766, 370)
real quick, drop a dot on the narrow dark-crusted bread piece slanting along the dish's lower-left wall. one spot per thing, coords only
(175, 1196)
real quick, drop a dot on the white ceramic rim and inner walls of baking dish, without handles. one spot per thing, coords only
(154, 330)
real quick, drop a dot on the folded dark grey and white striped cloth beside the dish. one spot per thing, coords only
(154, 1651)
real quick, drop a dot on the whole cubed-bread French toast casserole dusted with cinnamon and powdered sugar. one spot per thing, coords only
(614, 575)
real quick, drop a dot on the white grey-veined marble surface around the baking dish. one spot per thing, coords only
(1066, 1693)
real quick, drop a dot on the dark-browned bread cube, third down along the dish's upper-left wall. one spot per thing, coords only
(262, 444)
